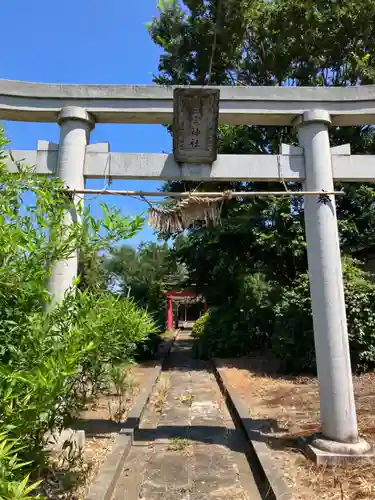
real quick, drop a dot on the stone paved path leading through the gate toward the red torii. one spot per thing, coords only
(187, 447)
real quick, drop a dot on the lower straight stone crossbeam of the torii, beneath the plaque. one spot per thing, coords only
(287, 166)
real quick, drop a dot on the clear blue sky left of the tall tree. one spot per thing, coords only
(85, 41)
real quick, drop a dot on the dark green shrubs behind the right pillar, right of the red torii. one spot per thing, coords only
(278, 320)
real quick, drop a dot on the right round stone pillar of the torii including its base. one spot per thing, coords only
(339, 439)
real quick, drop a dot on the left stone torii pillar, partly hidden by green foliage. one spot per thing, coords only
(75, 127)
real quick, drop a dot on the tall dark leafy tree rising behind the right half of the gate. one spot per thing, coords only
(283, 42)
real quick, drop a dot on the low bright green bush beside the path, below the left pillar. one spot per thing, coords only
(62, 360)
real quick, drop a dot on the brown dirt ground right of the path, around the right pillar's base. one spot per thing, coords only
(289, 408)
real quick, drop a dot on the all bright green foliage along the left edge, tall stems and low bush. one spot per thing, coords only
(50, 363)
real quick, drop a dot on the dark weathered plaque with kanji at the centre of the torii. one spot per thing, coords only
(195, 123)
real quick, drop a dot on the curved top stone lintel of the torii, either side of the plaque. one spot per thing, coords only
(27, 101)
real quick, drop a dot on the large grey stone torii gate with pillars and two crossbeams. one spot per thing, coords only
(77, 108)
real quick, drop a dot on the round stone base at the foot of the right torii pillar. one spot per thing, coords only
(331, 453)
